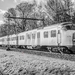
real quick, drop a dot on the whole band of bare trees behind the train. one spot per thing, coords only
(54, 11)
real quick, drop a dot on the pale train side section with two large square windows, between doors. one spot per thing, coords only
(49, 37)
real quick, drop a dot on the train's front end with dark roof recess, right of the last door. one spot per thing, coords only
(69, 36)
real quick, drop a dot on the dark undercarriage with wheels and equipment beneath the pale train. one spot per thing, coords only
(55, 49)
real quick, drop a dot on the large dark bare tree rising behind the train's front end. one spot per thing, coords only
(59, 9)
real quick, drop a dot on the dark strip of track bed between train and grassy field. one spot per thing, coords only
(70, 57)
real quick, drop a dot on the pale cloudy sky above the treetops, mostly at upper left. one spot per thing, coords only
(6, 4)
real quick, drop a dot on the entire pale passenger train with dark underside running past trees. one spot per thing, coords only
(55, 38)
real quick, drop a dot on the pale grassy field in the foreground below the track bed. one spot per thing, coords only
(17, 63)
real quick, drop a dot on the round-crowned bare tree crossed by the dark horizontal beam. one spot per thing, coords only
(24, 10)
